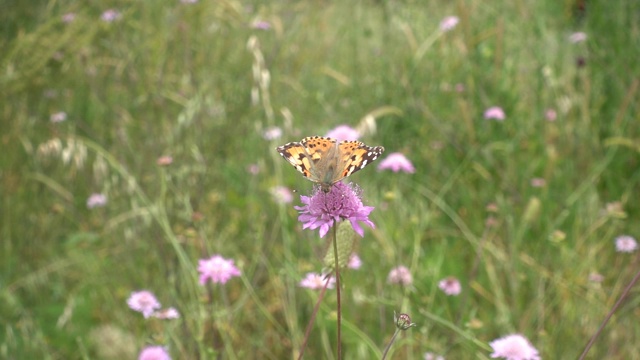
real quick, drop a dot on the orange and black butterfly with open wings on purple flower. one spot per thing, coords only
(326, 161)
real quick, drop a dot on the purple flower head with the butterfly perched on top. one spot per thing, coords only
(322, 210)
